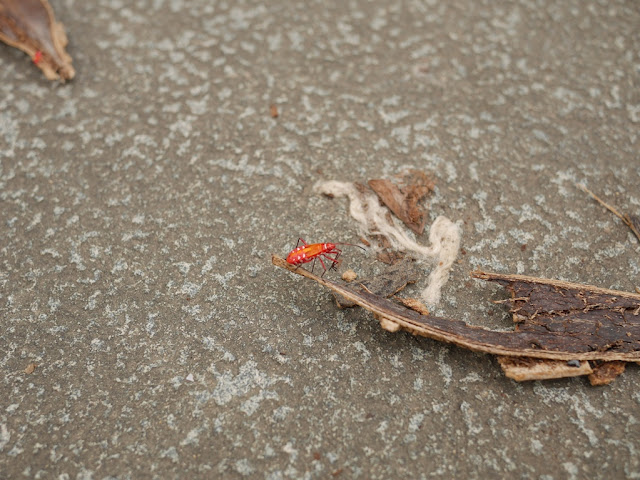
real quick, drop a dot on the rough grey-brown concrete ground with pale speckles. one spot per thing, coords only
(140, 204)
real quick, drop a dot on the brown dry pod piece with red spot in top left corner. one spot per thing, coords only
(30, 25)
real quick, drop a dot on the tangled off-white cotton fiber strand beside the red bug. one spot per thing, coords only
(374, 219)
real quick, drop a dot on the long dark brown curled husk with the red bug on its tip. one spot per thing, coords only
(554, 320)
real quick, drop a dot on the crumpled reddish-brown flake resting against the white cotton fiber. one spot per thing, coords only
(402, 195)
